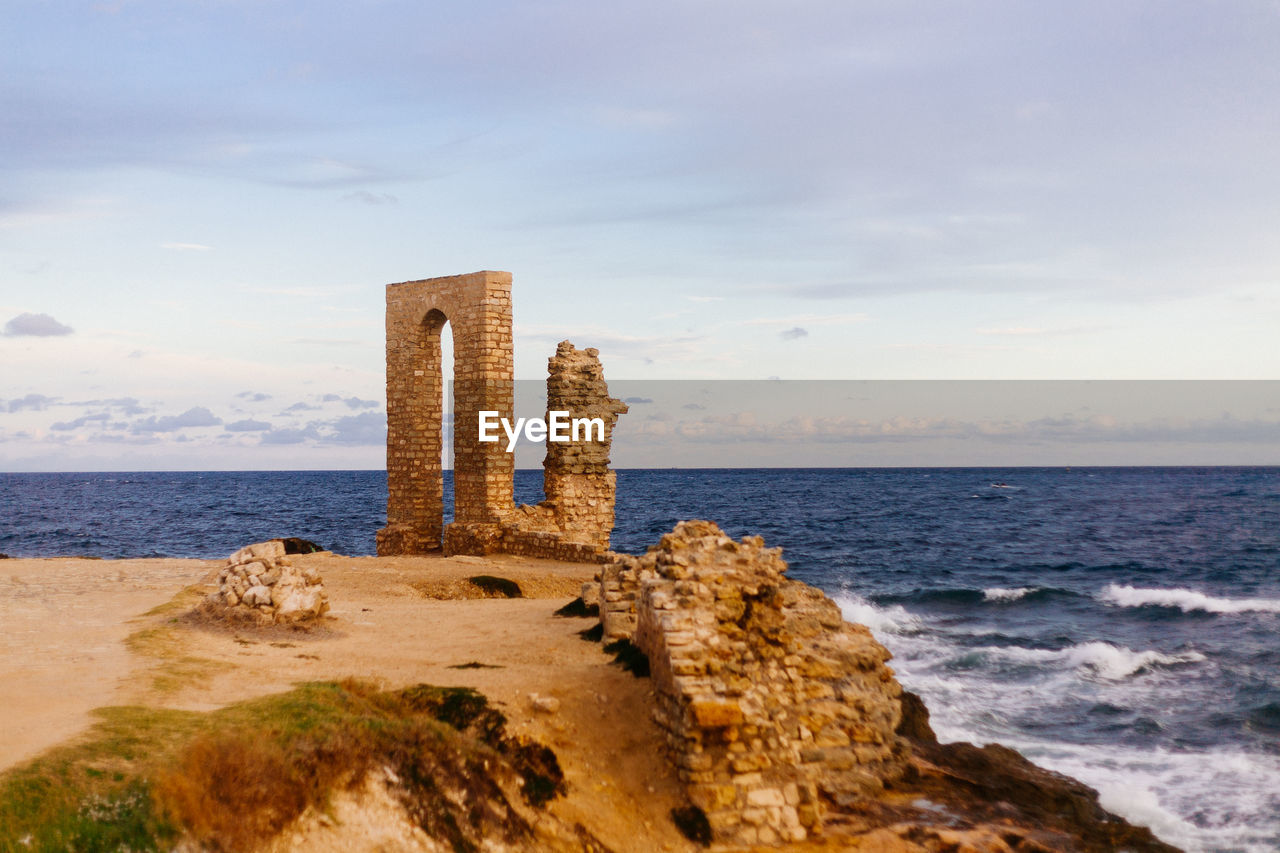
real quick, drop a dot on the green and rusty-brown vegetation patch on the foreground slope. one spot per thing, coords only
(231, 778)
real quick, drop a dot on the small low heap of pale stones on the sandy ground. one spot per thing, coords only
(260, 585)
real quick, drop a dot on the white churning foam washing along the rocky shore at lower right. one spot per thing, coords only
(1204, 802)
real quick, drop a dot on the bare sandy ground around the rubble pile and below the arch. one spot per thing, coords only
(63, 628)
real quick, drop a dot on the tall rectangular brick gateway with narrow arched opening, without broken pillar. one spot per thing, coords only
(478, 308)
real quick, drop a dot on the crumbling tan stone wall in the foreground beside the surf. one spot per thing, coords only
(771, 703)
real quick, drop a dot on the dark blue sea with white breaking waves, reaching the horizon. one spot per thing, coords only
(1121, 626)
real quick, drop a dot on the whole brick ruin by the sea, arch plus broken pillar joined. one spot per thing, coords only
(575, 521)
